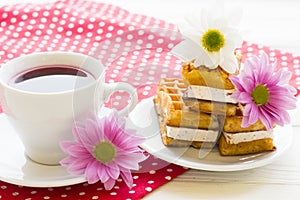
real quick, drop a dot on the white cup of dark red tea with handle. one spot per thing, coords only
(43, 93)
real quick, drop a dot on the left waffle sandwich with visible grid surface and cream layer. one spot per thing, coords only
(173, 116)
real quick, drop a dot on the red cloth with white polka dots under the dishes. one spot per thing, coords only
(134, 48)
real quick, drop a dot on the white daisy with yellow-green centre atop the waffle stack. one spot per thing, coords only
(217, 35)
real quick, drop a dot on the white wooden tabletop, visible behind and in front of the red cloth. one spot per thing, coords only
(272, 23)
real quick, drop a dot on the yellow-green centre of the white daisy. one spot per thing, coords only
(212, 40)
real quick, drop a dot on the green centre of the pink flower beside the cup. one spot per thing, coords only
(104, 151)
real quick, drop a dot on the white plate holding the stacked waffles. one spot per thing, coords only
(144, 119)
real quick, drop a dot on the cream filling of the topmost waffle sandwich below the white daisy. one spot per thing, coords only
(209, 93)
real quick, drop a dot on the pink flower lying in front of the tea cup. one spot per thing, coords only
(103, 150)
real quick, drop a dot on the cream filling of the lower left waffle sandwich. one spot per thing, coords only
(190, 134)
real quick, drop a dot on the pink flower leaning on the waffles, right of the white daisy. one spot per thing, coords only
(265, 93)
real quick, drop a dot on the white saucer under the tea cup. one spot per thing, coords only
(17, 168)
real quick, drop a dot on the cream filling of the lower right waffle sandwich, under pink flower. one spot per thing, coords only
(235, 138)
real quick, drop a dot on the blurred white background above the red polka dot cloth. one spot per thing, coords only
(273, 23)
